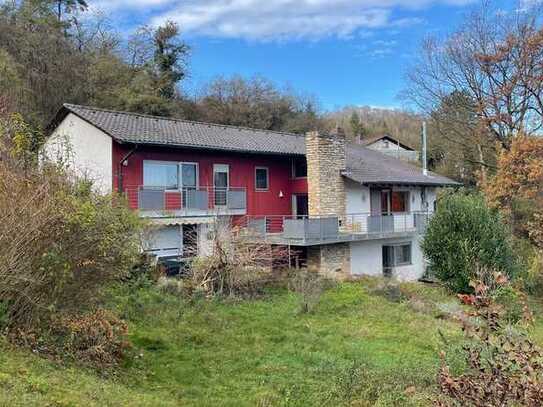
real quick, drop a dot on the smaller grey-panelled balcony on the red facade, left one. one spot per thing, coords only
(199, 201)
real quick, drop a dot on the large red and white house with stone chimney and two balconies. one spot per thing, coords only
(347, 209)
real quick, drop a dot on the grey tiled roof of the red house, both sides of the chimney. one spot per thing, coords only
(363, 165)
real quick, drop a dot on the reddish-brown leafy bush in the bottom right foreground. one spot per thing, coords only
(504, 367)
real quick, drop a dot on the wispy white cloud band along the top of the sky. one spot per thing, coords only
(278, 19)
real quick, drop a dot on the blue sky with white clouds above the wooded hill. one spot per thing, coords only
(345, 52)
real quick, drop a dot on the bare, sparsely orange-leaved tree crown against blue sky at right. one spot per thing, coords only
(496, 60)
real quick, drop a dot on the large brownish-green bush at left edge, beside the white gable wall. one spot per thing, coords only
(60, 243)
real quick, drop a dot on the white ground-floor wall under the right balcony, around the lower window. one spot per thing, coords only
(366, 258)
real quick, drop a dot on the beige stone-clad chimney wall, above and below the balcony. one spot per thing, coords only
(327, 196)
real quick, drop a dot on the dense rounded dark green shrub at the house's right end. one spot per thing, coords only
(462, 233)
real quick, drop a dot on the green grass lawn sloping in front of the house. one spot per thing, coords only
(356, 348)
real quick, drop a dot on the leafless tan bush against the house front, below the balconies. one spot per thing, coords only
(237, 264)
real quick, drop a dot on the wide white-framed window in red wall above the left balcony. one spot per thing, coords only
(170, 175)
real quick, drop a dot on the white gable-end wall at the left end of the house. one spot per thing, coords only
(83, 148)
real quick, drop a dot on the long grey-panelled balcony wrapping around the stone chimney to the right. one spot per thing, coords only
(307, 231)
